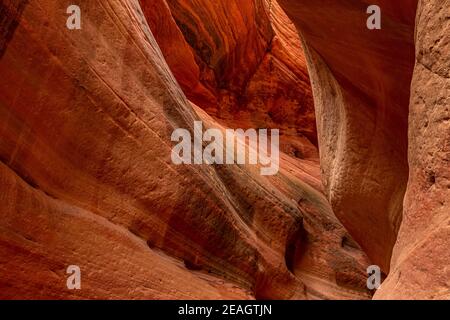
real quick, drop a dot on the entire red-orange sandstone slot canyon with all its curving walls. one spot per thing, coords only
(86, 176)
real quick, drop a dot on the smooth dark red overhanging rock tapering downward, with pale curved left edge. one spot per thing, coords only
(361, 86)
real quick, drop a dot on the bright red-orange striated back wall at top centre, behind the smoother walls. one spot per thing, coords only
(238, 60)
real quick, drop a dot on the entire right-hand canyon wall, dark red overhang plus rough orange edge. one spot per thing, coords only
(379, 139)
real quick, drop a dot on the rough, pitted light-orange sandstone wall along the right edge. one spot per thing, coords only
(421, 259)
